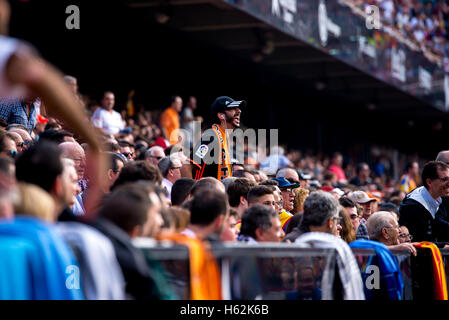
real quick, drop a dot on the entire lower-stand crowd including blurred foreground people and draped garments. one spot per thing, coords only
(80, 184)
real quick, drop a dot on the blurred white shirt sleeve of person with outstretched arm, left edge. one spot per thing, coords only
(8, 46)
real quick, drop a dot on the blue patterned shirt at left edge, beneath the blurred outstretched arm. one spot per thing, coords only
(16, 112)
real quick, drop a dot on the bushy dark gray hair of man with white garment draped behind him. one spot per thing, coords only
(319, 207)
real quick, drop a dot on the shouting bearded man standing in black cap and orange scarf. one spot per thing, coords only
(212, 153)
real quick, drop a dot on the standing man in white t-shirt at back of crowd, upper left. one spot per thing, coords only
(106, 118)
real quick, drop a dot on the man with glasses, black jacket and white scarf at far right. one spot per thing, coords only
(424, 210)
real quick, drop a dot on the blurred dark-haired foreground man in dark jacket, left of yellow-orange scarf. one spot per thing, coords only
(128, 213)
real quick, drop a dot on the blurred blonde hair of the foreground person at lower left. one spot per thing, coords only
(35, 202)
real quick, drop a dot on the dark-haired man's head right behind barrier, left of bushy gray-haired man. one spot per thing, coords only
(260, 223)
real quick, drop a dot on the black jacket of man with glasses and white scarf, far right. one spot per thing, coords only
(420, 223)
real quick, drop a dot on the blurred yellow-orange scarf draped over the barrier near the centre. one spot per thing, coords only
(205, 279)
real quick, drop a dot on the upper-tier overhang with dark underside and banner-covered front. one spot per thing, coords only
(257, 31)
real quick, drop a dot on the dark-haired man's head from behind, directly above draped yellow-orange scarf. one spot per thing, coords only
(208, 211)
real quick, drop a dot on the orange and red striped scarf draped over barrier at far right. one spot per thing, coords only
(439, 274)
